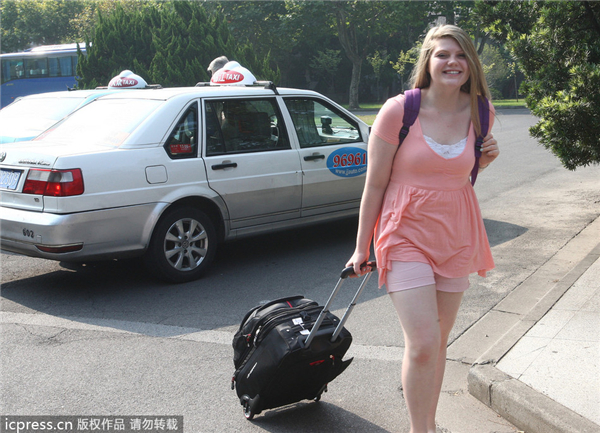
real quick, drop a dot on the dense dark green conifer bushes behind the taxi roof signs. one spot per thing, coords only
(168, 43)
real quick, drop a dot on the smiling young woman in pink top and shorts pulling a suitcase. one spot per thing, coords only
(419, 206)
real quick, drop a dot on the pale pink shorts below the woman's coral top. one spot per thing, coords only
(410, 275)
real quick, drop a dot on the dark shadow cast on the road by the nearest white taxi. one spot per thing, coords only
(121, 294)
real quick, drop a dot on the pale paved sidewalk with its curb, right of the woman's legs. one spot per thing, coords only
(543, 373)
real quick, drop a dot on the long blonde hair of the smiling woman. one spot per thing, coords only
(475, 86)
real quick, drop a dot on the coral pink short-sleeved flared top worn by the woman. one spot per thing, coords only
(430, 212)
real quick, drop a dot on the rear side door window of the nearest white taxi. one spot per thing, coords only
(244, 125)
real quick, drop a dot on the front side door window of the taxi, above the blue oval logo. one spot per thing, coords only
(320, 124)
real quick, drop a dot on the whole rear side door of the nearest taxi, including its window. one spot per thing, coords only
(250, 163)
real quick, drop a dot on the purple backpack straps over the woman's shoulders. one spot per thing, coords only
(412, 105)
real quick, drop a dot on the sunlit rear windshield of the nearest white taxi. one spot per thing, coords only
(102, 122)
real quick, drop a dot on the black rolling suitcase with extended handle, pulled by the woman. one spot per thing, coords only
(289, 349)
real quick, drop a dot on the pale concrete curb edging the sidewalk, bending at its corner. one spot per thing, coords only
(518, 403)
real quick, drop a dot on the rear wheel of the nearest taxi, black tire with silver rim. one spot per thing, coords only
(182, 246)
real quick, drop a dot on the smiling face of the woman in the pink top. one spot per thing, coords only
(448, 64)
